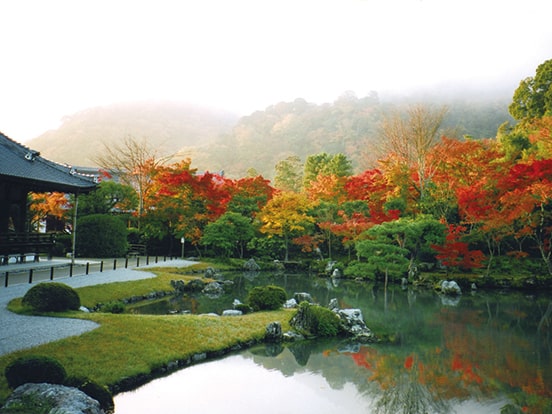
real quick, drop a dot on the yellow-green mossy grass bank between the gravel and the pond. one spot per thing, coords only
(135, 346)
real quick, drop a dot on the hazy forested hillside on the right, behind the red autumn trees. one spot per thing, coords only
(349, 126)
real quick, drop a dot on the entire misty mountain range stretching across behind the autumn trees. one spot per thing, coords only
(219, 141)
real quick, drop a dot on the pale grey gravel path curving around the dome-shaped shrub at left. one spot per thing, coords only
(21, 332)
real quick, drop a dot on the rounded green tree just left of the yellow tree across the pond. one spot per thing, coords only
(230, 232)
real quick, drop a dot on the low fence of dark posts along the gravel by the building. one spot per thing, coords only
(39, 273)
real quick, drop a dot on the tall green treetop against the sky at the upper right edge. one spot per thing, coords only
(533, 97)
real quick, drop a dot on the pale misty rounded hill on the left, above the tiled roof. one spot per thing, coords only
(167, 127)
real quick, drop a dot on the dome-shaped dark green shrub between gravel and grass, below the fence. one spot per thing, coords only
(52, 297)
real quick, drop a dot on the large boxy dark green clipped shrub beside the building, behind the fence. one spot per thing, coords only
(101, 235)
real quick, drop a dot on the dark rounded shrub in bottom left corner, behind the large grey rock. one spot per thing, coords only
(35, 369)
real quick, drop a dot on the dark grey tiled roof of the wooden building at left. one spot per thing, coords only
(19, 164)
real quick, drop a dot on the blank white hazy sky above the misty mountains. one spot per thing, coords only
(62, 56)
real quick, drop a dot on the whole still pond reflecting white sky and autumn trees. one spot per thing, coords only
(477, 354)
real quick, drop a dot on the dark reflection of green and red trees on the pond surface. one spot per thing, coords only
(485, 347)
